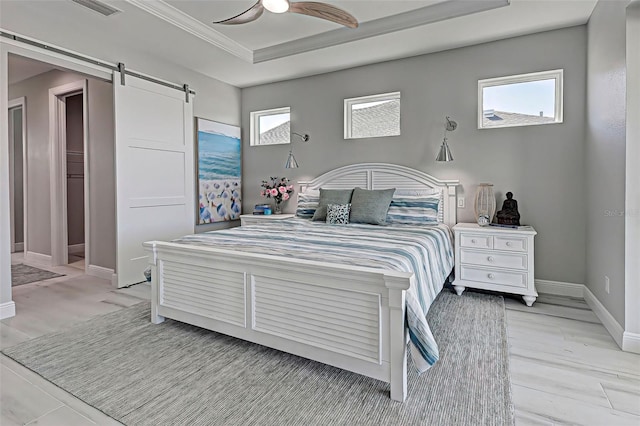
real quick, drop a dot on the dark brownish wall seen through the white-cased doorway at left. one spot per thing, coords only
(75, 169)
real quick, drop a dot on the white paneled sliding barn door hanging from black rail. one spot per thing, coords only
(154, 170)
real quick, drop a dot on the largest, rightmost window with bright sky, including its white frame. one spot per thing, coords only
(520, 100)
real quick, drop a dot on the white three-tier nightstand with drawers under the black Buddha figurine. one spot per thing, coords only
(493, 258)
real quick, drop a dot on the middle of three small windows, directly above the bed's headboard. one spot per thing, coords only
(372, 116)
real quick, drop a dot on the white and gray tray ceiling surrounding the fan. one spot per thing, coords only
(285, 46)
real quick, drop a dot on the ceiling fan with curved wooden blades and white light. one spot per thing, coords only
(310, 8)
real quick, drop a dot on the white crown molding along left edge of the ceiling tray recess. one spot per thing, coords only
(176, 17)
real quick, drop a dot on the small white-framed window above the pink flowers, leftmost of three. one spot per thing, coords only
(270, 127)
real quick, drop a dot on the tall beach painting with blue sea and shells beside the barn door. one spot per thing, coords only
(219, 172)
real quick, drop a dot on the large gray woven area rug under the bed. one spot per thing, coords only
(176, 374)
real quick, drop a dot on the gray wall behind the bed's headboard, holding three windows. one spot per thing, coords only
(542, 165)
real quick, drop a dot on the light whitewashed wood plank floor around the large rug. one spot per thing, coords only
(565, 368)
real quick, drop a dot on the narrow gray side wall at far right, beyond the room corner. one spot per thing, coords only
(605, 154)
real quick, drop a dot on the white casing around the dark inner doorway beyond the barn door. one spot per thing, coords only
(58, 166)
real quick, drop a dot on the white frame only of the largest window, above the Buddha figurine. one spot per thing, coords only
(557, 74)
